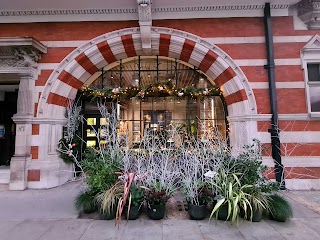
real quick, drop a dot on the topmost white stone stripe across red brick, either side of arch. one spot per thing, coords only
(217, 40)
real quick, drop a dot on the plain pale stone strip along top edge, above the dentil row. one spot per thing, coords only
(97, 4)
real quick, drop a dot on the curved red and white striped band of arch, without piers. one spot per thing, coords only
(82, 63)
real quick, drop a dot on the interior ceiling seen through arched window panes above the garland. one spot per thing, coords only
(168, 69)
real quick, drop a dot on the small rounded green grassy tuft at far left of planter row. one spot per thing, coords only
(85, 202)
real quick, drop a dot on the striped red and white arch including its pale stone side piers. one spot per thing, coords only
(82, 66)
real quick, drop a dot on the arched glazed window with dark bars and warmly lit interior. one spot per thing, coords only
(158, 95)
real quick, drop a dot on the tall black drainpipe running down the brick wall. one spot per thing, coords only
(274, 130)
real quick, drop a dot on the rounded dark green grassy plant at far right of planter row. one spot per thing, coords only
(280, 208)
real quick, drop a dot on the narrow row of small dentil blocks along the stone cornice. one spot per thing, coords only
(131, 10)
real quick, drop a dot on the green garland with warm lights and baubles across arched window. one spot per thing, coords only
(167, 89)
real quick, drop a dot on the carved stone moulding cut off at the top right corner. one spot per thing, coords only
(309, 13)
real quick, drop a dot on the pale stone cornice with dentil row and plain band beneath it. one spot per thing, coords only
(158, 12)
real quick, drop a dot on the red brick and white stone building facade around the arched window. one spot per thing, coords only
(267, 66)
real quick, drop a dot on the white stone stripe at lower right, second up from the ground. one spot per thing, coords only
(294, 161)
